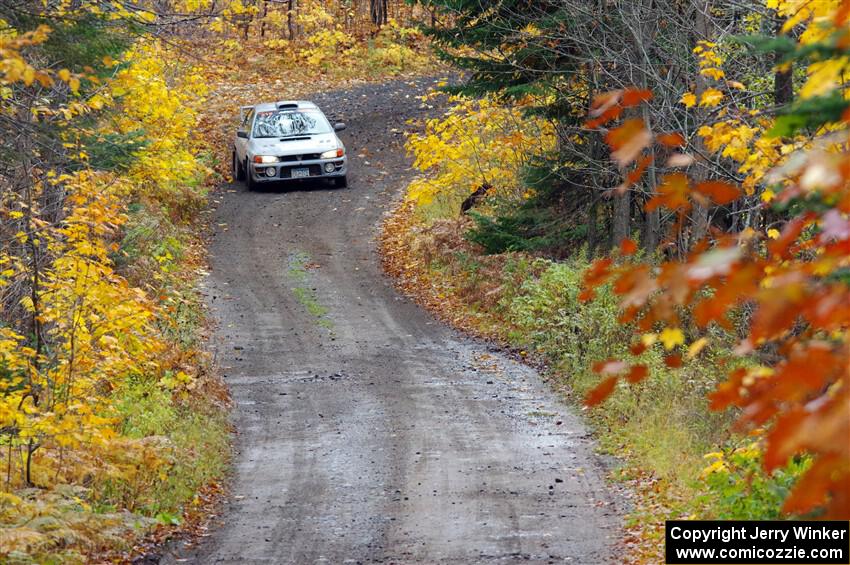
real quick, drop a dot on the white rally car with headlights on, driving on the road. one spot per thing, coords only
(289, 140)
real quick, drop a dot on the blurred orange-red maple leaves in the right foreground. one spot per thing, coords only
(800, 311)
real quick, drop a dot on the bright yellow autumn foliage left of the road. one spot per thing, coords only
(97, 331)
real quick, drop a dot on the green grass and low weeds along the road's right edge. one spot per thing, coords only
(663, 424)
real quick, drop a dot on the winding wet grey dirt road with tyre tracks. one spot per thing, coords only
(367, 431)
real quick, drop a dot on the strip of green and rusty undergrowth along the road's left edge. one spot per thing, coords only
(187, 419)
